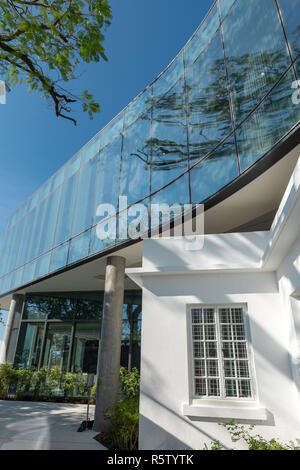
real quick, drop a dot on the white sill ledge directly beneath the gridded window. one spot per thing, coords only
(240, 412)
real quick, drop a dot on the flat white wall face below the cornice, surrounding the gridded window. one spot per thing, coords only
(165, 372)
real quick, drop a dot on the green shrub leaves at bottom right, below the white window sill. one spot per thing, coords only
(253, 441)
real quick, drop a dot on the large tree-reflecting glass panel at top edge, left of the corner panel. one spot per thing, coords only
(256, 51)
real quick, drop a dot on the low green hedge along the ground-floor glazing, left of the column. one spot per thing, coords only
(46, 384)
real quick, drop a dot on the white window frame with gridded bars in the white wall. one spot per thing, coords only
(197, 399)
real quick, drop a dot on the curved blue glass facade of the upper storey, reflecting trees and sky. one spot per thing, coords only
(217, 109)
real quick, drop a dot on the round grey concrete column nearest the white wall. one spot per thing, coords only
(110, 344)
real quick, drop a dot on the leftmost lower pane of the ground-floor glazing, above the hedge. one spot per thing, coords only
(29, 345)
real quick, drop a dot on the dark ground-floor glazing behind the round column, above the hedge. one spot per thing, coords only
(72, 319)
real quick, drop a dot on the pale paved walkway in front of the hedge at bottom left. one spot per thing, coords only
(44, 426)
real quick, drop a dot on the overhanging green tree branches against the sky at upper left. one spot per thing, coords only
(44, 42)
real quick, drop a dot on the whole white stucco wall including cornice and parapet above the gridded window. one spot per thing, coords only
(258, 270)
